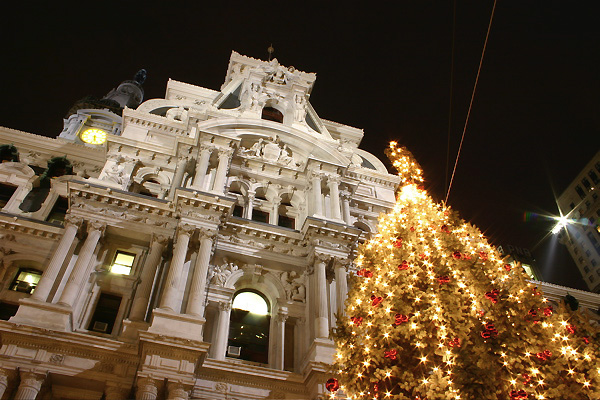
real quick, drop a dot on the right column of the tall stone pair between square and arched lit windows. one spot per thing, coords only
(196, 299)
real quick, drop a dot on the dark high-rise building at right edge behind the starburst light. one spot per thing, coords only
(579, 202)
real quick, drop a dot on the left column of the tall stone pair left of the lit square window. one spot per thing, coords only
(44, 287)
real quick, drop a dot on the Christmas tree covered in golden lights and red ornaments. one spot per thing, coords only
(434, 312)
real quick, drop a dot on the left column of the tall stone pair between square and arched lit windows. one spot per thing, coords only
(170, 294)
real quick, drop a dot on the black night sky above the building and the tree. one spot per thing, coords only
(534, 125)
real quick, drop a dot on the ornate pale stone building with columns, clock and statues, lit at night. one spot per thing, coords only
(134, 245)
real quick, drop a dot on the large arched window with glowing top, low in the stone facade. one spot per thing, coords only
(249, 327)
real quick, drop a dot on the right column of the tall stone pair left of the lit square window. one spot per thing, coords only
(77, 278)
